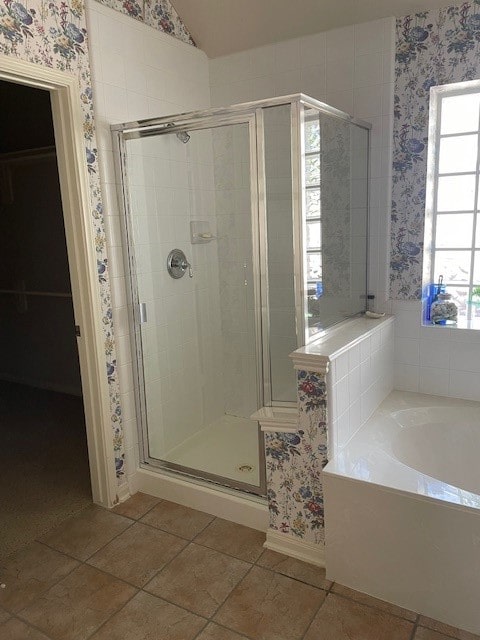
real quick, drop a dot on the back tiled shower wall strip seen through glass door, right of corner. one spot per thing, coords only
(233, 246)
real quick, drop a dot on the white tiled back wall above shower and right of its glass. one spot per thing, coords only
(350, 68)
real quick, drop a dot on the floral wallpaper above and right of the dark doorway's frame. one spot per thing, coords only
(53, 34)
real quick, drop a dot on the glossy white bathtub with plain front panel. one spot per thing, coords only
(402, 508)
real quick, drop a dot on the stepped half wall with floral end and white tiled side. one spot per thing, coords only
(341, 379)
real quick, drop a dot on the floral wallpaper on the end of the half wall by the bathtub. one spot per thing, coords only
(294, 465)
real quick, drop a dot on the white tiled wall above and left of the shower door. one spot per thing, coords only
(138, 72)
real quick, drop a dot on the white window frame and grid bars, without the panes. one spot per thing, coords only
(437, 95)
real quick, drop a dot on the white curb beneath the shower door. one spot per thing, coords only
(230, 505)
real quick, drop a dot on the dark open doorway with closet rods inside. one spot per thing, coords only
(44, 457)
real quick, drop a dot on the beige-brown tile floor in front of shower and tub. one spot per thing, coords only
(154, 570)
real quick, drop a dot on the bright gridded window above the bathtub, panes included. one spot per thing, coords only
(452, 230)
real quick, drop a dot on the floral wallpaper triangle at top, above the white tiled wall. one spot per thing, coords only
(158, 14)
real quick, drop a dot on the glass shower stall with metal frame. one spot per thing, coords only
(245, 238)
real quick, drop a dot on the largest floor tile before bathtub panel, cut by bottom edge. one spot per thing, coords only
(341, 619)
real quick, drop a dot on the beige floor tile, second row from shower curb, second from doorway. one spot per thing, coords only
(138, 553)
